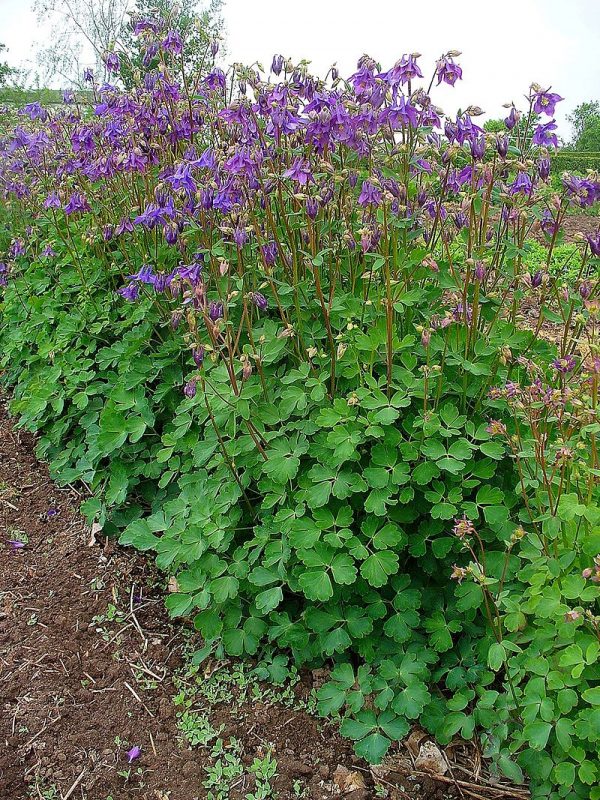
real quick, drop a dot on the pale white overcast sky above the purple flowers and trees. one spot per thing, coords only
(506, 44)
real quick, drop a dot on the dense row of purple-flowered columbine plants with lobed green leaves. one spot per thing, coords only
(271, 322)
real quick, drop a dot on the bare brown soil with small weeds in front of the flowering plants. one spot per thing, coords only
(92, 665)
